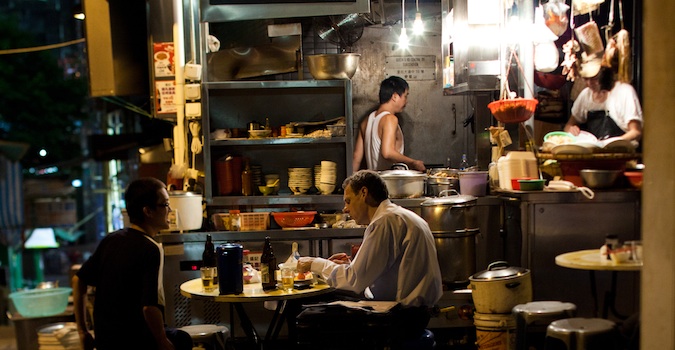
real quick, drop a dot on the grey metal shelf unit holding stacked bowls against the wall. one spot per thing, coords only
(234, 104)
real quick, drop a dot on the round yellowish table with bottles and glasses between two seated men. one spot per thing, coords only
(254, 293)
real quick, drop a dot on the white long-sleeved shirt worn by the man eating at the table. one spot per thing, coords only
(397, 260)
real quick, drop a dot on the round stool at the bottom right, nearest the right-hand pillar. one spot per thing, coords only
(581, 334)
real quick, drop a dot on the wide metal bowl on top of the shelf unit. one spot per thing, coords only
(333, 66)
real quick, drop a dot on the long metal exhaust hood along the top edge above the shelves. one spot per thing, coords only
(237, 10)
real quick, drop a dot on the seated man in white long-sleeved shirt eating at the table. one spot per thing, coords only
(397, 259)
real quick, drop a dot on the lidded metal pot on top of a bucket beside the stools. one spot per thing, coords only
(501, 287)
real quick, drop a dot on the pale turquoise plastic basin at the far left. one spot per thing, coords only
(41, 302)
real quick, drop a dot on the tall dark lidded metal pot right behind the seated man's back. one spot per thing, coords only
(453, 223)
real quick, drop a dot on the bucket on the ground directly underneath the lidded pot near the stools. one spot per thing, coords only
(495, 331)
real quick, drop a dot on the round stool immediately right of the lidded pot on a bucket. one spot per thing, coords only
(533, 318)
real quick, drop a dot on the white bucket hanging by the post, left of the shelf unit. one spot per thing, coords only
(186, 211)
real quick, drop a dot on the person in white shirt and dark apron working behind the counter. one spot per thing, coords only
(606, 107)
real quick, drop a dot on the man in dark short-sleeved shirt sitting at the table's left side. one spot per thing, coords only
(126, 271)
